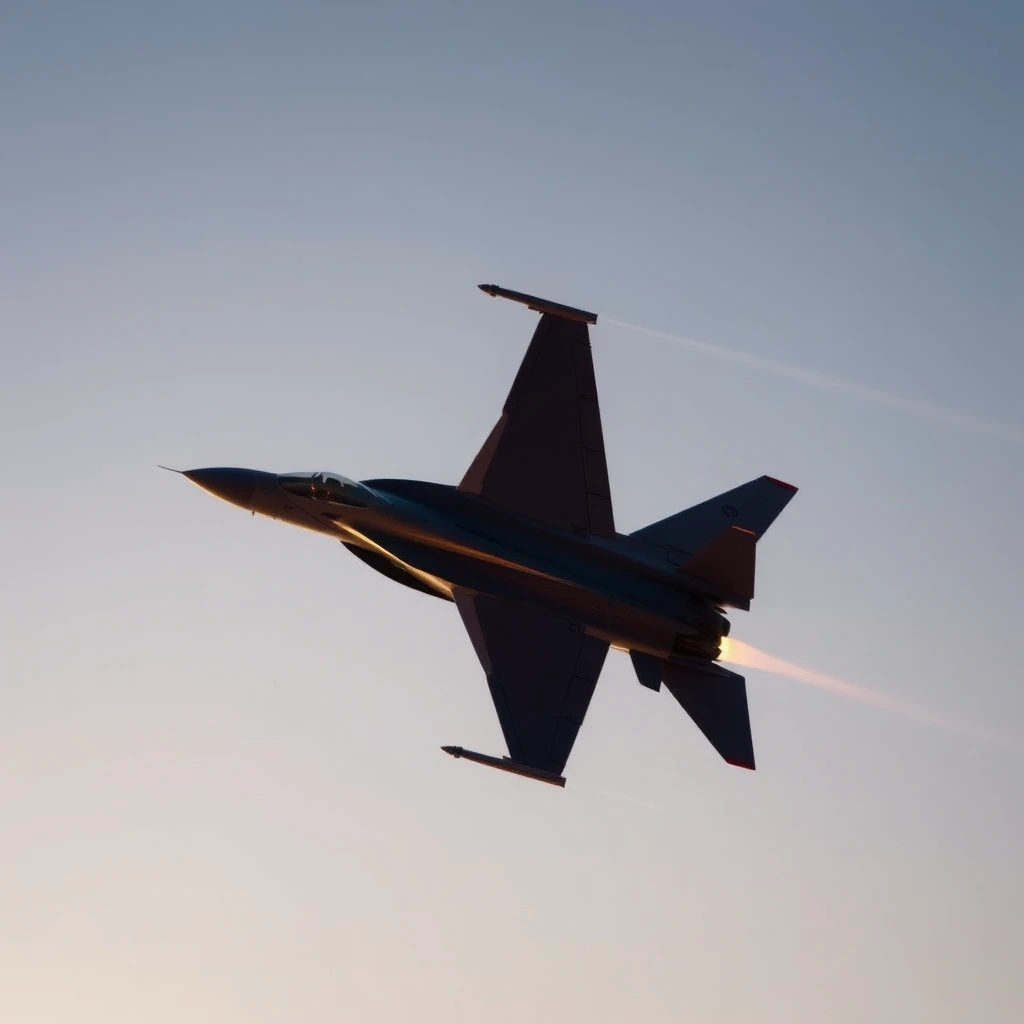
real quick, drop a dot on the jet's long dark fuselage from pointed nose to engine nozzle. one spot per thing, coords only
(435, 538)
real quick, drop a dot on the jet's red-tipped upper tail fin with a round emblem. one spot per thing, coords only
(753, 507)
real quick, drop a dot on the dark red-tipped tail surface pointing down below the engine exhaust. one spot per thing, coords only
(716, 700)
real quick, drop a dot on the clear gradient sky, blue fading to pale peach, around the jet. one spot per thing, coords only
(249, 235)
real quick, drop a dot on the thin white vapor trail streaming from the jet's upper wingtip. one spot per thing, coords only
(829, 382)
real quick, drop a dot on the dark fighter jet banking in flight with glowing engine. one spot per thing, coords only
(527, 549)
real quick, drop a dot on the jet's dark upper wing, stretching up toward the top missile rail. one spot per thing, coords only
(545, 457)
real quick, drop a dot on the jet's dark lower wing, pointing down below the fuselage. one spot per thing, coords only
(542, 671)
